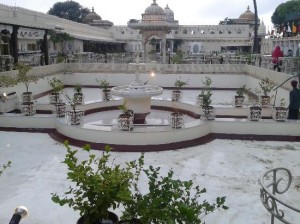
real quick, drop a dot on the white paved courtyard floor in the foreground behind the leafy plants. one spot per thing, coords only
(228, 168)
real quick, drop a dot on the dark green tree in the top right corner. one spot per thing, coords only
(283, 10)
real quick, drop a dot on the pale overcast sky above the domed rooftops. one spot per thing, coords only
(187, 12)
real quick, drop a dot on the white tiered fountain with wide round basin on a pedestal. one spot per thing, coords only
(137, 95)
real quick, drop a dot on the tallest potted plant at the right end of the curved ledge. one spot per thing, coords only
(204, 99)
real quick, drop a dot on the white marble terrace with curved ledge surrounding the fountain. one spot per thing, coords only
(99, 126)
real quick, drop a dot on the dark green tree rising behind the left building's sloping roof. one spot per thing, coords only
(69, 10)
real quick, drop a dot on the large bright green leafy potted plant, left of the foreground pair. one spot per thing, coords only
(98, 185)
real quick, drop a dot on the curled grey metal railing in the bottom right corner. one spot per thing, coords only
(273, 183)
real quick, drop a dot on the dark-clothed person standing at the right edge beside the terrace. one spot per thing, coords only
(294, 101)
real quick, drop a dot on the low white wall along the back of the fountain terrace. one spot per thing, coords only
(222, 75)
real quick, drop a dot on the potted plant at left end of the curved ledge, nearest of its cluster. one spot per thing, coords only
(74, 115)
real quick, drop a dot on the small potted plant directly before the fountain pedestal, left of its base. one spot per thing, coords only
(125, 119)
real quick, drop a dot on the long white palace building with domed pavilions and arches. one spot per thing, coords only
(157, 36)
